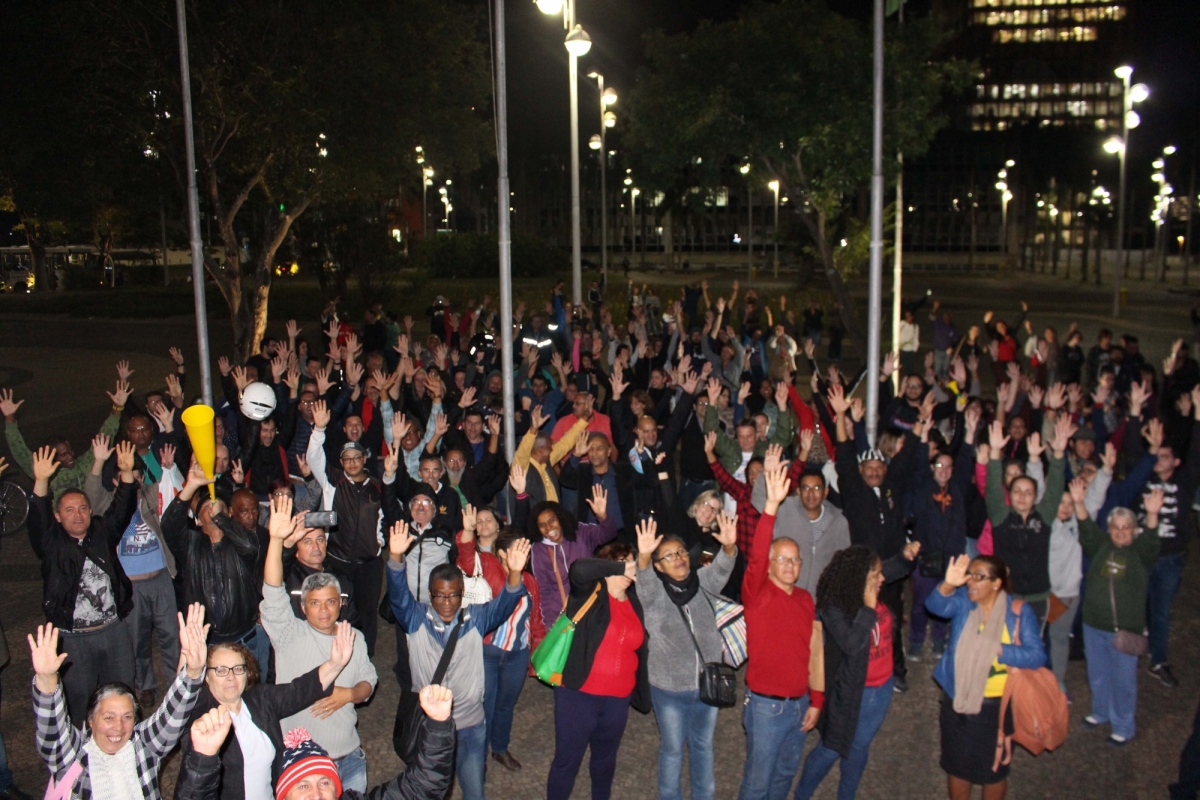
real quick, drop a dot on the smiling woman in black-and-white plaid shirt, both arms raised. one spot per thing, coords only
(116, 757)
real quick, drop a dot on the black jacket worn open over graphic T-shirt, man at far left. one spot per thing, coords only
(63, 557)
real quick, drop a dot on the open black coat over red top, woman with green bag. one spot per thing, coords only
(585, 575)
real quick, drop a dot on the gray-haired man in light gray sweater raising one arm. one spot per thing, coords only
(301, 646)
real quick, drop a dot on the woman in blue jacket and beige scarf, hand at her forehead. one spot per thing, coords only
(991, 631)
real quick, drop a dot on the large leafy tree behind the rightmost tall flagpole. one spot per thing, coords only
(787, 89)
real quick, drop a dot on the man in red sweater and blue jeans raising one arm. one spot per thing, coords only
(782, 645)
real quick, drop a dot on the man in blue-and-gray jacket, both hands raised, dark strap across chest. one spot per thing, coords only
(429, 629)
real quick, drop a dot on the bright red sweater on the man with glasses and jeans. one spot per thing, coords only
(779, 627)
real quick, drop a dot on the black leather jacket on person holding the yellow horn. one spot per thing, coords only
(226, 576)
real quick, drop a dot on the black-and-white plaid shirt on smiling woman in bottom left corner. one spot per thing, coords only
(61, 745)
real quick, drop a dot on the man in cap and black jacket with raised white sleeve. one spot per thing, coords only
(362, 503)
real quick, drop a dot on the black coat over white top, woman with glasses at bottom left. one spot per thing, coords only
(268, 703)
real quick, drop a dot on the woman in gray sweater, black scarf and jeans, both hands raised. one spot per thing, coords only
(682, 629)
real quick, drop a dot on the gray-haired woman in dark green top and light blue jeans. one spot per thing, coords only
(1115, 601)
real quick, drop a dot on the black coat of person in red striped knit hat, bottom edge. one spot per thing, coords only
(429, 778)
